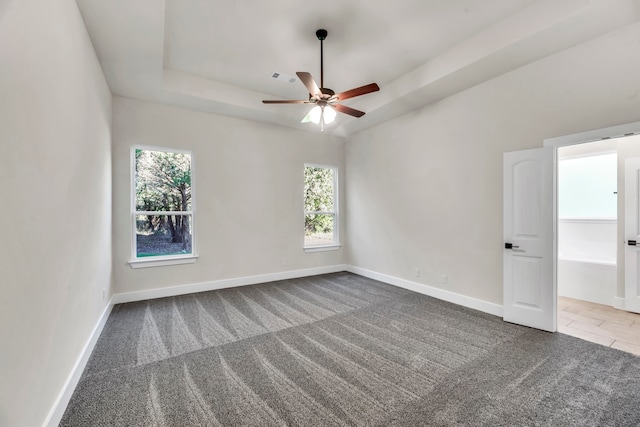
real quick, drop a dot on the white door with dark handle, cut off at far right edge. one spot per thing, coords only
(632, 234)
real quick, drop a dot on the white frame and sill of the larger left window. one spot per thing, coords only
(161, 260)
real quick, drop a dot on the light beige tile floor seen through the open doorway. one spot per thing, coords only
(600, 324)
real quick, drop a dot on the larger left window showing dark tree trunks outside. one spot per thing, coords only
(162, 204)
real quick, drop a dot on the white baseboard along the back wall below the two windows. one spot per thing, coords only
(224, 283)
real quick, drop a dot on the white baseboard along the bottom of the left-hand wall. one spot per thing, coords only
(60, 405)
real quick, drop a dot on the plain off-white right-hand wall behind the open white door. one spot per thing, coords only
(425, 190)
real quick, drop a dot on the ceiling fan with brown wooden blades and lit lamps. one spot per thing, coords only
(326, 100)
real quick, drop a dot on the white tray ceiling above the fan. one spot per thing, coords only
(219, 55)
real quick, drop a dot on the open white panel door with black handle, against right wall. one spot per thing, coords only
(529, 269)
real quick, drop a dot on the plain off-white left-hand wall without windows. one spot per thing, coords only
(55, 170)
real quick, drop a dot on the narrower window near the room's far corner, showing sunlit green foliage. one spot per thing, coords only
(320, 206)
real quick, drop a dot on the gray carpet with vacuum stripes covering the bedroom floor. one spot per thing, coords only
(342, 350)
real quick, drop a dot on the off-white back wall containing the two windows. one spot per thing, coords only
(248, 186)
